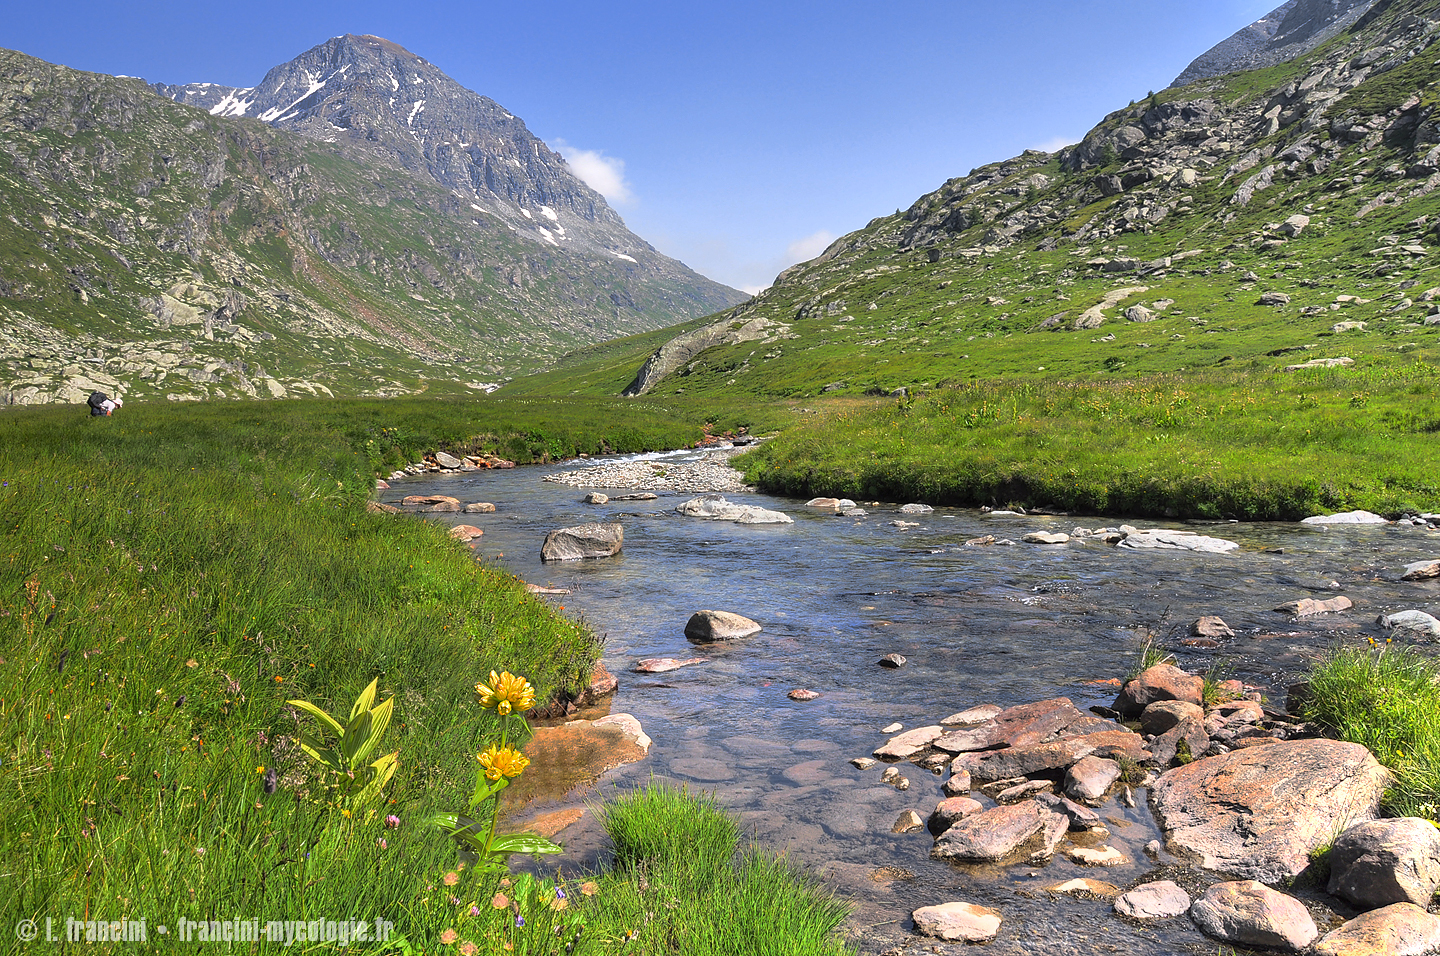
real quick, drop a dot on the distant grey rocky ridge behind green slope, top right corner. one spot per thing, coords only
(1290, 31)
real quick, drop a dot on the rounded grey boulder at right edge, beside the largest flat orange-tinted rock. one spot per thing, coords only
(1385, 862)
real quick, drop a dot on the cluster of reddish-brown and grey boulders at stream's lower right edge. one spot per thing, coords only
(1241, 793)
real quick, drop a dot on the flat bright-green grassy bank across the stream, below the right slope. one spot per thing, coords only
(1206, 446)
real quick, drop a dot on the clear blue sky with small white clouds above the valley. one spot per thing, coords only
(739, 137)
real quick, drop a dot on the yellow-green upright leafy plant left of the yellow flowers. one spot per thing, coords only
(345, 749)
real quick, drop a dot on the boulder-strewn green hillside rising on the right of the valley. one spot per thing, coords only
(1255, 221)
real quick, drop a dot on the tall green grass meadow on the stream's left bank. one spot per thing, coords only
(174, 575)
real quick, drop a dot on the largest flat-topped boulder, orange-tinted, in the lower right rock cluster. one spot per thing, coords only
(1261, 811)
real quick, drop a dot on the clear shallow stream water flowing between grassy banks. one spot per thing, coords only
(1002, 626)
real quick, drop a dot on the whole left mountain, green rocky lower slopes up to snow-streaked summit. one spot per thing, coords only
(356, 224)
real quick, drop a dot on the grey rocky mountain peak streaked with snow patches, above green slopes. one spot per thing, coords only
(369, 96)
